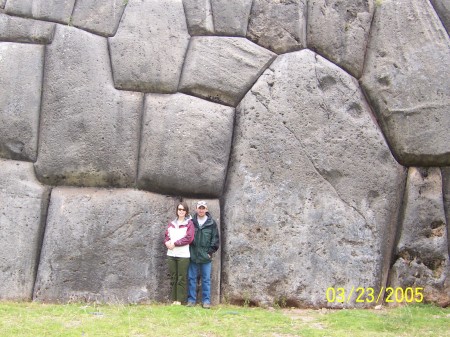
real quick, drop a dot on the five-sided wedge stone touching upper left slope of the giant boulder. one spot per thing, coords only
(222, 69)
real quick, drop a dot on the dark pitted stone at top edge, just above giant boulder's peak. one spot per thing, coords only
(278, 25)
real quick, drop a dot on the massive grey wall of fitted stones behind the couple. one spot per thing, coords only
(319, 131)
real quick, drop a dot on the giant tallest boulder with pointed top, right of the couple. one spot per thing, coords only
(312, 190)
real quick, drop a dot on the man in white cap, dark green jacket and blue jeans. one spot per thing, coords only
(205, 244)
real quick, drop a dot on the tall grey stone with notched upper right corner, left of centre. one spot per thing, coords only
(89, 130)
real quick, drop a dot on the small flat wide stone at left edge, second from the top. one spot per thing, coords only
(24, 30)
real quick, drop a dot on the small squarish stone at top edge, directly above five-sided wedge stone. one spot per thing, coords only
(231, 16)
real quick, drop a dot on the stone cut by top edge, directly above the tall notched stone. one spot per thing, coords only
(99, 17)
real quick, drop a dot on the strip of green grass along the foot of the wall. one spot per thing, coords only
(35, 319)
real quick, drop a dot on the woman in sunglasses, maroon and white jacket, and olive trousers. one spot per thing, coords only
(179, 234)
